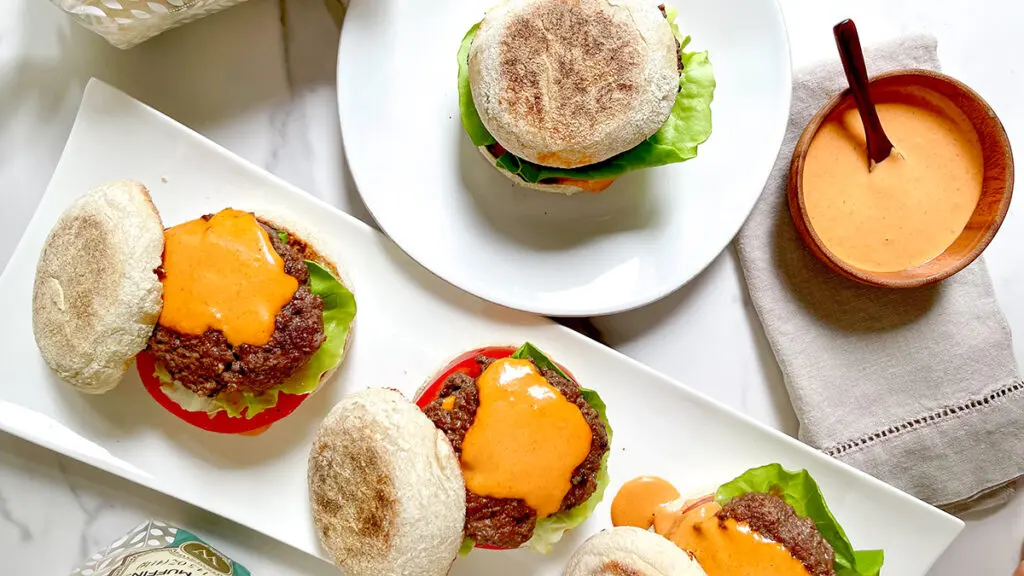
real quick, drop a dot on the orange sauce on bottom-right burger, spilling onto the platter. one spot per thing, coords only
(722, 549)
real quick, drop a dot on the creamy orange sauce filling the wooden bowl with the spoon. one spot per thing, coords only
(908, 210)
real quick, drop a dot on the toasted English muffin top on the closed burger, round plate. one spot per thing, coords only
(569, 84)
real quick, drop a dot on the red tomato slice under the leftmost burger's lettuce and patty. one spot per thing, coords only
(220, 423)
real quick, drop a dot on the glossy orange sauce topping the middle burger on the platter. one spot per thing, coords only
(526, 440)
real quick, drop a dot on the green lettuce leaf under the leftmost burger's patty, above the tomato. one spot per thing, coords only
(339, 312)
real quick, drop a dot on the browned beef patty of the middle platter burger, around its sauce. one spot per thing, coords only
(508, 523)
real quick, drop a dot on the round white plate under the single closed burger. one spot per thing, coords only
(586, 255)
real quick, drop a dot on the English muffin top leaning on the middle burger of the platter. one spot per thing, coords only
(387, 488)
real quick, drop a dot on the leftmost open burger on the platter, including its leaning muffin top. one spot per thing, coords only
(235, 320)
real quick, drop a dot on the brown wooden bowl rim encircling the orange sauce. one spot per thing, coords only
(799, 211)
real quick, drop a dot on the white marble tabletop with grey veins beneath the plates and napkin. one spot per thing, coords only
(260, 78)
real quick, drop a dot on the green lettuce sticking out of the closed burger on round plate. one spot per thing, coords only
(677, 141)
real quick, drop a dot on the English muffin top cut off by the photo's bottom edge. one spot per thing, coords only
(631, 551)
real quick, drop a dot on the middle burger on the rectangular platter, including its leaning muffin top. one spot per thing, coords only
(503, 449)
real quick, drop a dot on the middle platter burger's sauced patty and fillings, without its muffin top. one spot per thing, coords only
(502, 409)
